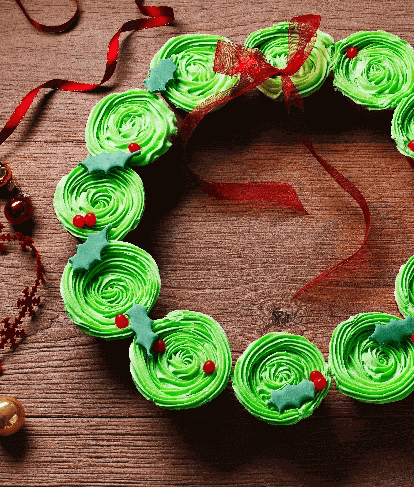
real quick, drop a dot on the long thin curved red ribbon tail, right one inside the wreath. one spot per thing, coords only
(352, 190)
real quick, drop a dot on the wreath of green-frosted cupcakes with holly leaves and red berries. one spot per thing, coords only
(109, 286)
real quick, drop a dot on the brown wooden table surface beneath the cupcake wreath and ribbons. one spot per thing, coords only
(237, 262)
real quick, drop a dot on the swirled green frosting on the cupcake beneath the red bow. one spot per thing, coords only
(273, 43)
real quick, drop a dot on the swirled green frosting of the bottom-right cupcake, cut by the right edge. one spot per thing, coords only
(364, 370)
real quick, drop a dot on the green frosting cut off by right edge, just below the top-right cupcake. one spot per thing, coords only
(402, 126)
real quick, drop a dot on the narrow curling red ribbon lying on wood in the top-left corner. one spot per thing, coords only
(159, 16)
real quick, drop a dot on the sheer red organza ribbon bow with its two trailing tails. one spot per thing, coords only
(252, 69)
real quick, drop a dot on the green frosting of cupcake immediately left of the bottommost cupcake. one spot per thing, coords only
(175, 379)
